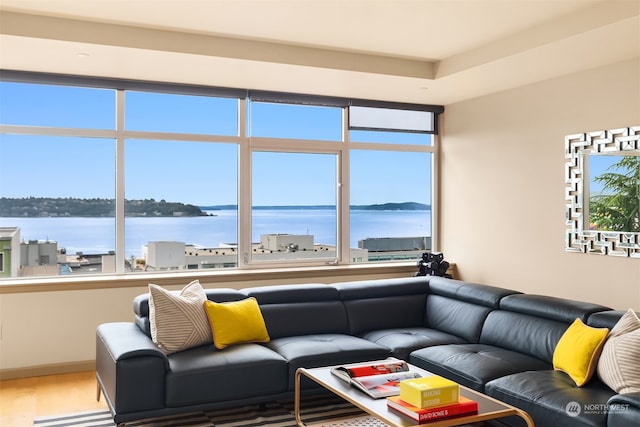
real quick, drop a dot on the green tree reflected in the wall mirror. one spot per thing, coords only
(618, 207)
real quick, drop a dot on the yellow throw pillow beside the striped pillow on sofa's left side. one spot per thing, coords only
(236, 322)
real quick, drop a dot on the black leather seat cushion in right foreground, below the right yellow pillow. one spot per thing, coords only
(552, 399)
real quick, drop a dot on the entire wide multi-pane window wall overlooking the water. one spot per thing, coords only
(95, 178)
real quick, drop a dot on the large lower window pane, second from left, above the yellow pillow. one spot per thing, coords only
(174, 191)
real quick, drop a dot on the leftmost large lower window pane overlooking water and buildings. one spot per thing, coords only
(58, 193)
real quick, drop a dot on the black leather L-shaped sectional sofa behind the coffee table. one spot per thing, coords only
(494, 340)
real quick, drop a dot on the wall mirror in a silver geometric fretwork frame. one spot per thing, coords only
(602, 173)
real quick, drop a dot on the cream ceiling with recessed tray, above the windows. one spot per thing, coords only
(423, 51)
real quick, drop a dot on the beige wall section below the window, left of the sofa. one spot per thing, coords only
(57, 327)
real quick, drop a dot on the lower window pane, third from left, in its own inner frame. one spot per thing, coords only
(294, 215)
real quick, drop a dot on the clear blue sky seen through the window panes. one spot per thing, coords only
(190, 172)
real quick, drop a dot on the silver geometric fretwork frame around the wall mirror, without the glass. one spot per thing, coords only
(578, 236)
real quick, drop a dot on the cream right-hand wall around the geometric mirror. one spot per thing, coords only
(502, 172)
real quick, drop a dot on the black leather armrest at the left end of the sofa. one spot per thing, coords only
(130, 368)
